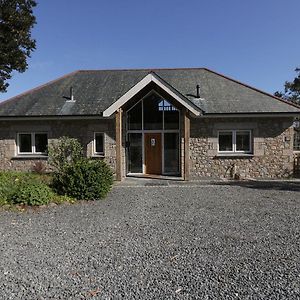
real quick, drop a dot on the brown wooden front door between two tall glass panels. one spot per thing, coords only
(153, 153)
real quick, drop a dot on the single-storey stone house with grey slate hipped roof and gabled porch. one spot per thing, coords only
(189, 123)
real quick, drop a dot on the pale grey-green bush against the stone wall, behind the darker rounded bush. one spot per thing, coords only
(66, 151)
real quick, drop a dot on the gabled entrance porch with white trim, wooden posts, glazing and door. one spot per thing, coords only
(161, 115)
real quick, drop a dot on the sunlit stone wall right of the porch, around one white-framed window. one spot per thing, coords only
(272, 149)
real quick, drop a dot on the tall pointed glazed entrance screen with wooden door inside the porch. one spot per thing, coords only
(153, 137)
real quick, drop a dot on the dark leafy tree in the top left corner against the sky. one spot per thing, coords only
(16, 43)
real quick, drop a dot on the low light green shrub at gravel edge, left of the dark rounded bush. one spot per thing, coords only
(32, 193)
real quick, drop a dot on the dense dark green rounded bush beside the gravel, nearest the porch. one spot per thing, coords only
(85, 179)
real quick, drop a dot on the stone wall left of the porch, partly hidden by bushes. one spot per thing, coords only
(80, 129)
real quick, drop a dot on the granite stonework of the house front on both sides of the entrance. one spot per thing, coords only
(272, 155)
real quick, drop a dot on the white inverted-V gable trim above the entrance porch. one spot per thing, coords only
(138, 87)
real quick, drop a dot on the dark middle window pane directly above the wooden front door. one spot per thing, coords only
(152, 112)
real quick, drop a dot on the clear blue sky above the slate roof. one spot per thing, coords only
(254, 41)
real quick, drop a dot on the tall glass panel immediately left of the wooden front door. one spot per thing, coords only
(135, 160)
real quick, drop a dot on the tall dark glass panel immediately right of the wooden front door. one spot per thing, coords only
(171, 152)
